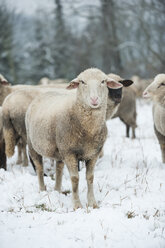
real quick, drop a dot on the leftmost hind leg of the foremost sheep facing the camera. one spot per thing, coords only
(37, 161)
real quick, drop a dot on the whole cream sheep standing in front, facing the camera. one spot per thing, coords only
(70, 128)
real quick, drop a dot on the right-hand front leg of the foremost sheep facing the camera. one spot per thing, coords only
(90, 164)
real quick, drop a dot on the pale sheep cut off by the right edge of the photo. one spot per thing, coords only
(156, 91)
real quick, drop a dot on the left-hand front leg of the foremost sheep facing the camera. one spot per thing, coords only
(71, 163)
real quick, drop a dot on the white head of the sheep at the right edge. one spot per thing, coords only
(156, 90)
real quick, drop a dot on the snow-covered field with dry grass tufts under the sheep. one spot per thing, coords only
(129, 187)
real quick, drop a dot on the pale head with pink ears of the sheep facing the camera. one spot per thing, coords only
(93, 87)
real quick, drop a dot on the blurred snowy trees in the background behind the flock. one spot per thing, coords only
(124, 37)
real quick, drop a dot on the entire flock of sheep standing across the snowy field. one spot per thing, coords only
(68, 124)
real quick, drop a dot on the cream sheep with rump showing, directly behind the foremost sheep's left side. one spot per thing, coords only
(14, 109)
